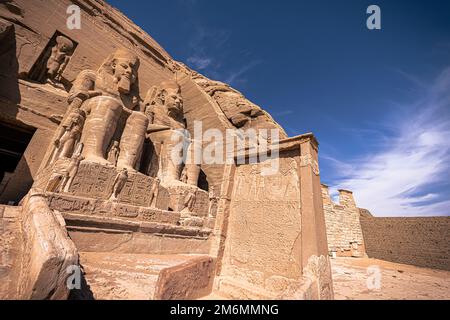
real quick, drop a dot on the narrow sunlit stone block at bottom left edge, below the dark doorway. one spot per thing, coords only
(10, 251)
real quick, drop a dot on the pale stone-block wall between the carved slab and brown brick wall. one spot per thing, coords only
(342, 222)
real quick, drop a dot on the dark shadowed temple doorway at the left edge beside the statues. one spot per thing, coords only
(13, 143)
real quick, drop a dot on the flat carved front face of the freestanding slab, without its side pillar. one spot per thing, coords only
(265, 206)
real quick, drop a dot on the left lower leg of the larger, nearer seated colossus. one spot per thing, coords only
(99, 127)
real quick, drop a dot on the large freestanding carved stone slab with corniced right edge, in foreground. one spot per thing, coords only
(272, 242)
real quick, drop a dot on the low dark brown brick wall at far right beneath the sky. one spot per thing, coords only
(424, 242)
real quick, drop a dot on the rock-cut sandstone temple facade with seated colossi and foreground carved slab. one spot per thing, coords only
(94, 177)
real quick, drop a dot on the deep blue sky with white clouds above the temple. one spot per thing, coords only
(378, 101)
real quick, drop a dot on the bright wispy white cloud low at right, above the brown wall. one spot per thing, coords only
(398, 179)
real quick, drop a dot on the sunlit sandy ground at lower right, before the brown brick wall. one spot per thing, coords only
(356, 279)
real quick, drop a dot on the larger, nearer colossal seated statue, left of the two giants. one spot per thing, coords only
(108, 94)
